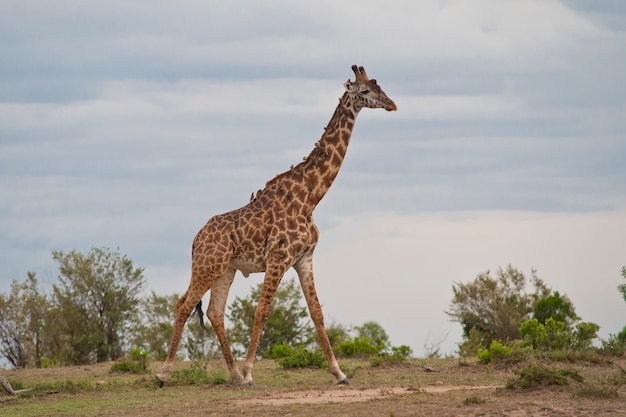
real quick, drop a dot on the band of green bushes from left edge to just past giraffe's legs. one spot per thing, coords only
(94, 315)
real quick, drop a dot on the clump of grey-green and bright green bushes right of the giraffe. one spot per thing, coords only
(503, 323)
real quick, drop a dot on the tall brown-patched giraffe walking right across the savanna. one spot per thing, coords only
(272, 233)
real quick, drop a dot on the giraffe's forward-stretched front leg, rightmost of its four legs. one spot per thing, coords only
(305, 273)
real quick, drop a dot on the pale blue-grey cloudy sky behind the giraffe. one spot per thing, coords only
(129, 124)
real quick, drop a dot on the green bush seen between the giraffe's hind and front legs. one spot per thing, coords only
(287, 323)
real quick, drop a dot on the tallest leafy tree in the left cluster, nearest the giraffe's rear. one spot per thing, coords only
(95, 302)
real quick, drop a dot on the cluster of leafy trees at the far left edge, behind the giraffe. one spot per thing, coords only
(85, 319)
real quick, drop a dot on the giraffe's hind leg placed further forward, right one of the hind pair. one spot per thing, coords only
(215, 313)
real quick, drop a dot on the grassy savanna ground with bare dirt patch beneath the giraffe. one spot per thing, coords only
(407, 389)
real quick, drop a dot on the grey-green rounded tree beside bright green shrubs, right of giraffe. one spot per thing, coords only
(491, 308)
